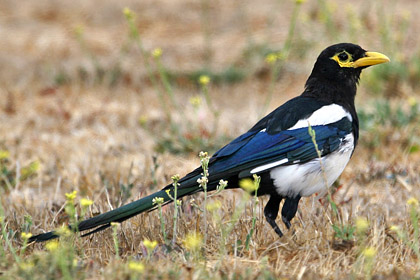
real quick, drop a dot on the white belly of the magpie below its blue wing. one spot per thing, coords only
(307, 179)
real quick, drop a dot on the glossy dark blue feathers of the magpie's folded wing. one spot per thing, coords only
(254, 149)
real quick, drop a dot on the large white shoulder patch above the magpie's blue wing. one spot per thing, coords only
(324, 115)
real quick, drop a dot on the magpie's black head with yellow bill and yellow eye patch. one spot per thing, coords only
(337, 71)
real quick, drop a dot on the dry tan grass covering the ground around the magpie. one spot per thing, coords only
(94, 129)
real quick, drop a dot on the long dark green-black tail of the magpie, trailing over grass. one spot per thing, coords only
(120, 214)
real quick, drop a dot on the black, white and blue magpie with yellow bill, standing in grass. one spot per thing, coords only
(279, 148)
